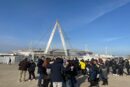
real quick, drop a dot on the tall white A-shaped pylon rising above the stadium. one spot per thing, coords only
(57, 26)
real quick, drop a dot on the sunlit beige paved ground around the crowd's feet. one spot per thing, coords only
(9, 78)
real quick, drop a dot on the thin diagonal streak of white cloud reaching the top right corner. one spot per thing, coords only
(97, 12)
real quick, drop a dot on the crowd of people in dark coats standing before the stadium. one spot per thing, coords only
(60, 72)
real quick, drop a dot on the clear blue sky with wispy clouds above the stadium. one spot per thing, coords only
(94, 24)
